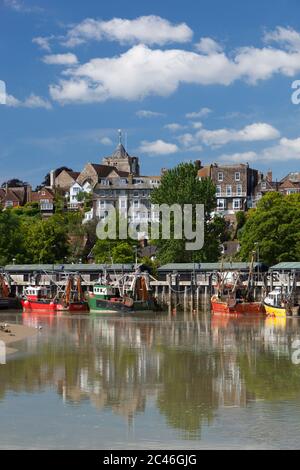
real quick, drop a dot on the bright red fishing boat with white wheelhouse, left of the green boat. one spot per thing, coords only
(39, 298)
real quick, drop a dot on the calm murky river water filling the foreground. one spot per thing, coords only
(151, 382)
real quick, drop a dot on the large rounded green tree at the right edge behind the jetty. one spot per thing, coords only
(273, 229)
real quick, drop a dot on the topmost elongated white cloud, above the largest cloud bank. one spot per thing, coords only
(145, 29)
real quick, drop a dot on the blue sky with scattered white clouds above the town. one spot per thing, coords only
(208, 80)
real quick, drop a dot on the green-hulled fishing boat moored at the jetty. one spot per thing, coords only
(132, 292)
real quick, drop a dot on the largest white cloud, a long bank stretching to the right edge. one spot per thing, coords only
(141, 71)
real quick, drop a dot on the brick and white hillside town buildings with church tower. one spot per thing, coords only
(116, 181)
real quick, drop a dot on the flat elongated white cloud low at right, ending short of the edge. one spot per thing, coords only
(254, 132)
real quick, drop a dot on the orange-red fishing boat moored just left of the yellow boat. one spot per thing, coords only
(234, 295)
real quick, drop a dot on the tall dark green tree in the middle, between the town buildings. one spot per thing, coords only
(181, 185)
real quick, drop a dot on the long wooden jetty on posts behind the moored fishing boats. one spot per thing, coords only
(179, 285)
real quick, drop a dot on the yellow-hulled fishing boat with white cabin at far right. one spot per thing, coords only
(278, 304)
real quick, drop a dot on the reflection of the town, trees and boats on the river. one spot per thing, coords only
(190, 367)
